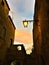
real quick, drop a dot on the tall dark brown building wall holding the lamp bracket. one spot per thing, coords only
(41, 32)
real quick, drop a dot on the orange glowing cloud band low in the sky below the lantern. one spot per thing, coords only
(23, 36)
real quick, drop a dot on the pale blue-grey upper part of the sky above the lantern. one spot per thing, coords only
(21, 9)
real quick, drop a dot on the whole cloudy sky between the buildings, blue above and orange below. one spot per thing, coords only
(19, 11)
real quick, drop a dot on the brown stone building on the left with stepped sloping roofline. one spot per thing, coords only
(7, 30)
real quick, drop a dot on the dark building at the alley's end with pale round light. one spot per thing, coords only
(16, 55)
